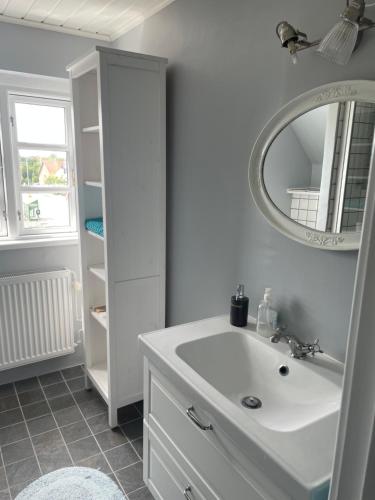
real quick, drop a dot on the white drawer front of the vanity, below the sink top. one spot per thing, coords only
(181, 460)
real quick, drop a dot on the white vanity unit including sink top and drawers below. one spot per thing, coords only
(200, 442)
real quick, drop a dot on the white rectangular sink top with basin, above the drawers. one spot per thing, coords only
(292, 435)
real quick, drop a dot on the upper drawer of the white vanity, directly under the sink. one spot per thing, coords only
(198, 447)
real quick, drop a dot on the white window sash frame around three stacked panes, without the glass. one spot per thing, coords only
(20, 230)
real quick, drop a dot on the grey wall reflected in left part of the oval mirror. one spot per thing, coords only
(286, 166)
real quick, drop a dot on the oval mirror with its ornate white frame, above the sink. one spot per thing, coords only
(309, 167)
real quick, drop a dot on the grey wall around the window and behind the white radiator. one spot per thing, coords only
(47, 53)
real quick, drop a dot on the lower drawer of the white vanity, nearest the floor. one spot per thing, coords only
(166, 479)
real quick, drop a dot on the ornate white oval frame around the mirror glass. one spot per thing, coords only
(351, 90)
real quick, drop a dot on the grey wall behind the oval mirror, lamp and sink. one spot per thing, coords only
(227, 77)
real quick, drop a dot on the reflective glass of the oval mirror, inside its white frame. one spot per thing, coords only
(316, 170)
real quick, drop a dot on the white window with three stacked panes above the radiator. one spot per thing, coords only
(42, 168)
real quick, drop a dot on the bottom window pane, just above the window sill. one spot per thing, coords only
(44, 210)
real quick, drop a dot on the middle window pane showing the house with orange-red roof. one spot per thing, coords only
(42, 168)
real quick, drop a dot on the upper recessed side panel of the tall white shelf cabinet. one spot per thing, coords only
(134, 110)
